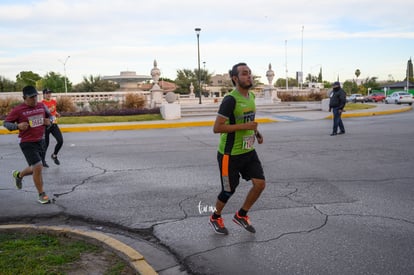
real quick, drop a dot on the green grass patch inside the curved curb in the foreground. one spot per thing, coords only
(45, 254)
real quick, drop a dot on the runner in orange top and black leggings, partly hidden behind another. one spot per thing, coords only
(53, 129)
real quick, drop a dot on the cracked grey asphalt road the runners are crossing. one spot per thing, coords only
(332, 205)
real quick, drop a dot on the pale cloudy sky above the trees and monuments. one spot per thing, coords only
(107, 37)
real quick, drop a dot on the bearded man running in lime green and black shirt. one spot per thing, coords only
(236, 154)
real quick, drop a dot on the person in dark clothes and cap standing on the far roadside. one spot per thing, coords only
(337, 104)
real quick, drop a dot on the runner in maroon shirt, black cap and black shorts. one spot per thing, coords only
(30, 119)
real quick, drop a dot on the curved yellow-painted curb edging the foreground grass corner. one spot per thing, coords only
(127, 253)
